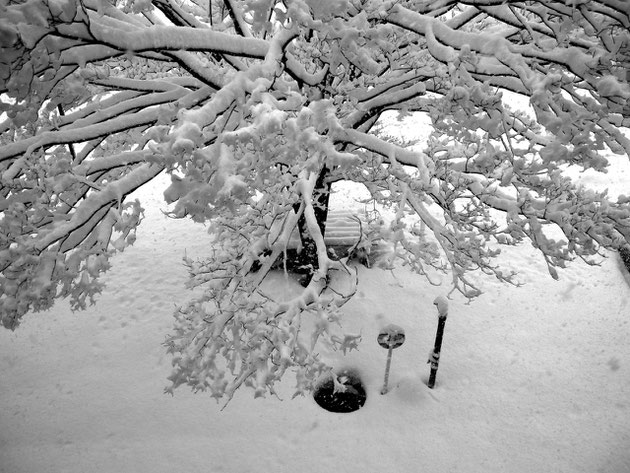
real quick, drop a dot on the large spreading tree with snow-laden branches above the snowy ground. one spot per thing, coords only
(255, 107)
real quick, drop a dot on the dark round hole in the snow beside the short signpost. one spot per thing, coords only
(349, 397)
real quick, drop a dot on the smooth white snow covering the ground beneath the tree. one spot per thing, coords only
(531, 379)
